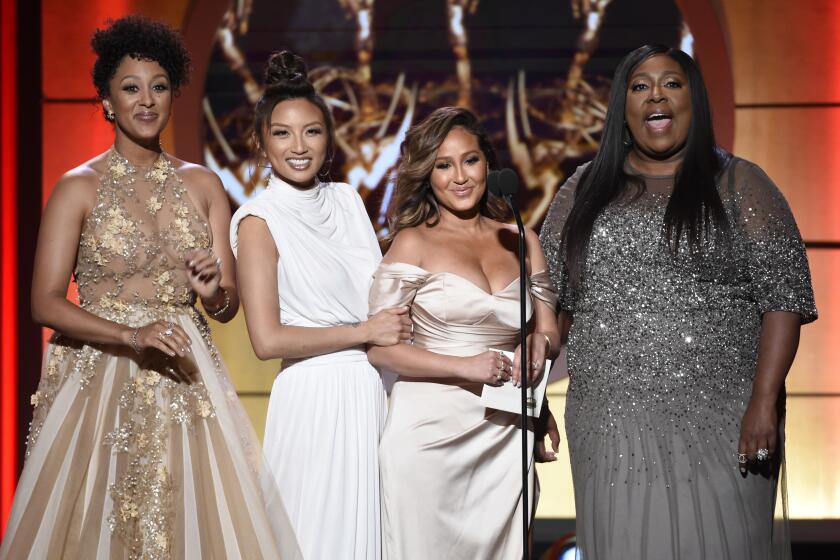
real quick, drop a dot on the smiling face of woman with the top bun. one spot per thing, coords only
(296, 141)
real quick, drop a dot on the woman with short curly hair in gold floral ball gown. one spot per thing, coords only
(139, 447)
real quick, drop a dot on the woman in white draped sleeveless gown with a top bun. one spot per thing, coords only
(306, 252)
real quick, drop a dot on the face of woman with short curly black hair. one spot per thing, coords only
(140, 96)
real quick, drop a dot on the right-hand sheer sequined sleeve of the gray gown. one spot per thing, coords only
(777, 264)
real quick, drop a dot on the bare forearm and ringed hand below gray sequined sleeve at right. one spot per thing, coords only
(777, 347)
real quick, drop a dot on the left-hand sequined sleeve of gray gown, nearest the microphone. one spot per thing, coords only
(551, 237)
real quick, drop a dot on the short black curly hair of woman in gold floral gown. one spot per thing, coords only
(140, 38)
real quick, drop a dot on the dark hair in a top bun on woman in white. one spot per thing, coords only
(286, 78)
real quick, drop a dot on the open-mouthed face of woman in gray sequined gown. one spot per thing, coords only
(658, 108)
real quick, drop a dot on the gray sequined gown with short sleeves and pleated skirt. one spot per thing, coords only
(662, 352)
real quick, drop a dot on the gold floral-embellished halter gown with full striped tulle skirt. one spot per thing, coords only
(122, 461)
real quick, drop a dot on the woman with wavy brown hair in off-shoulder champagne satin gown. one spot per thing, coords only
(449, 467)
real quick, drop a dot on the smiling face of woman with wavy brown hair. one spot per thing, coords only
(459, 175)
